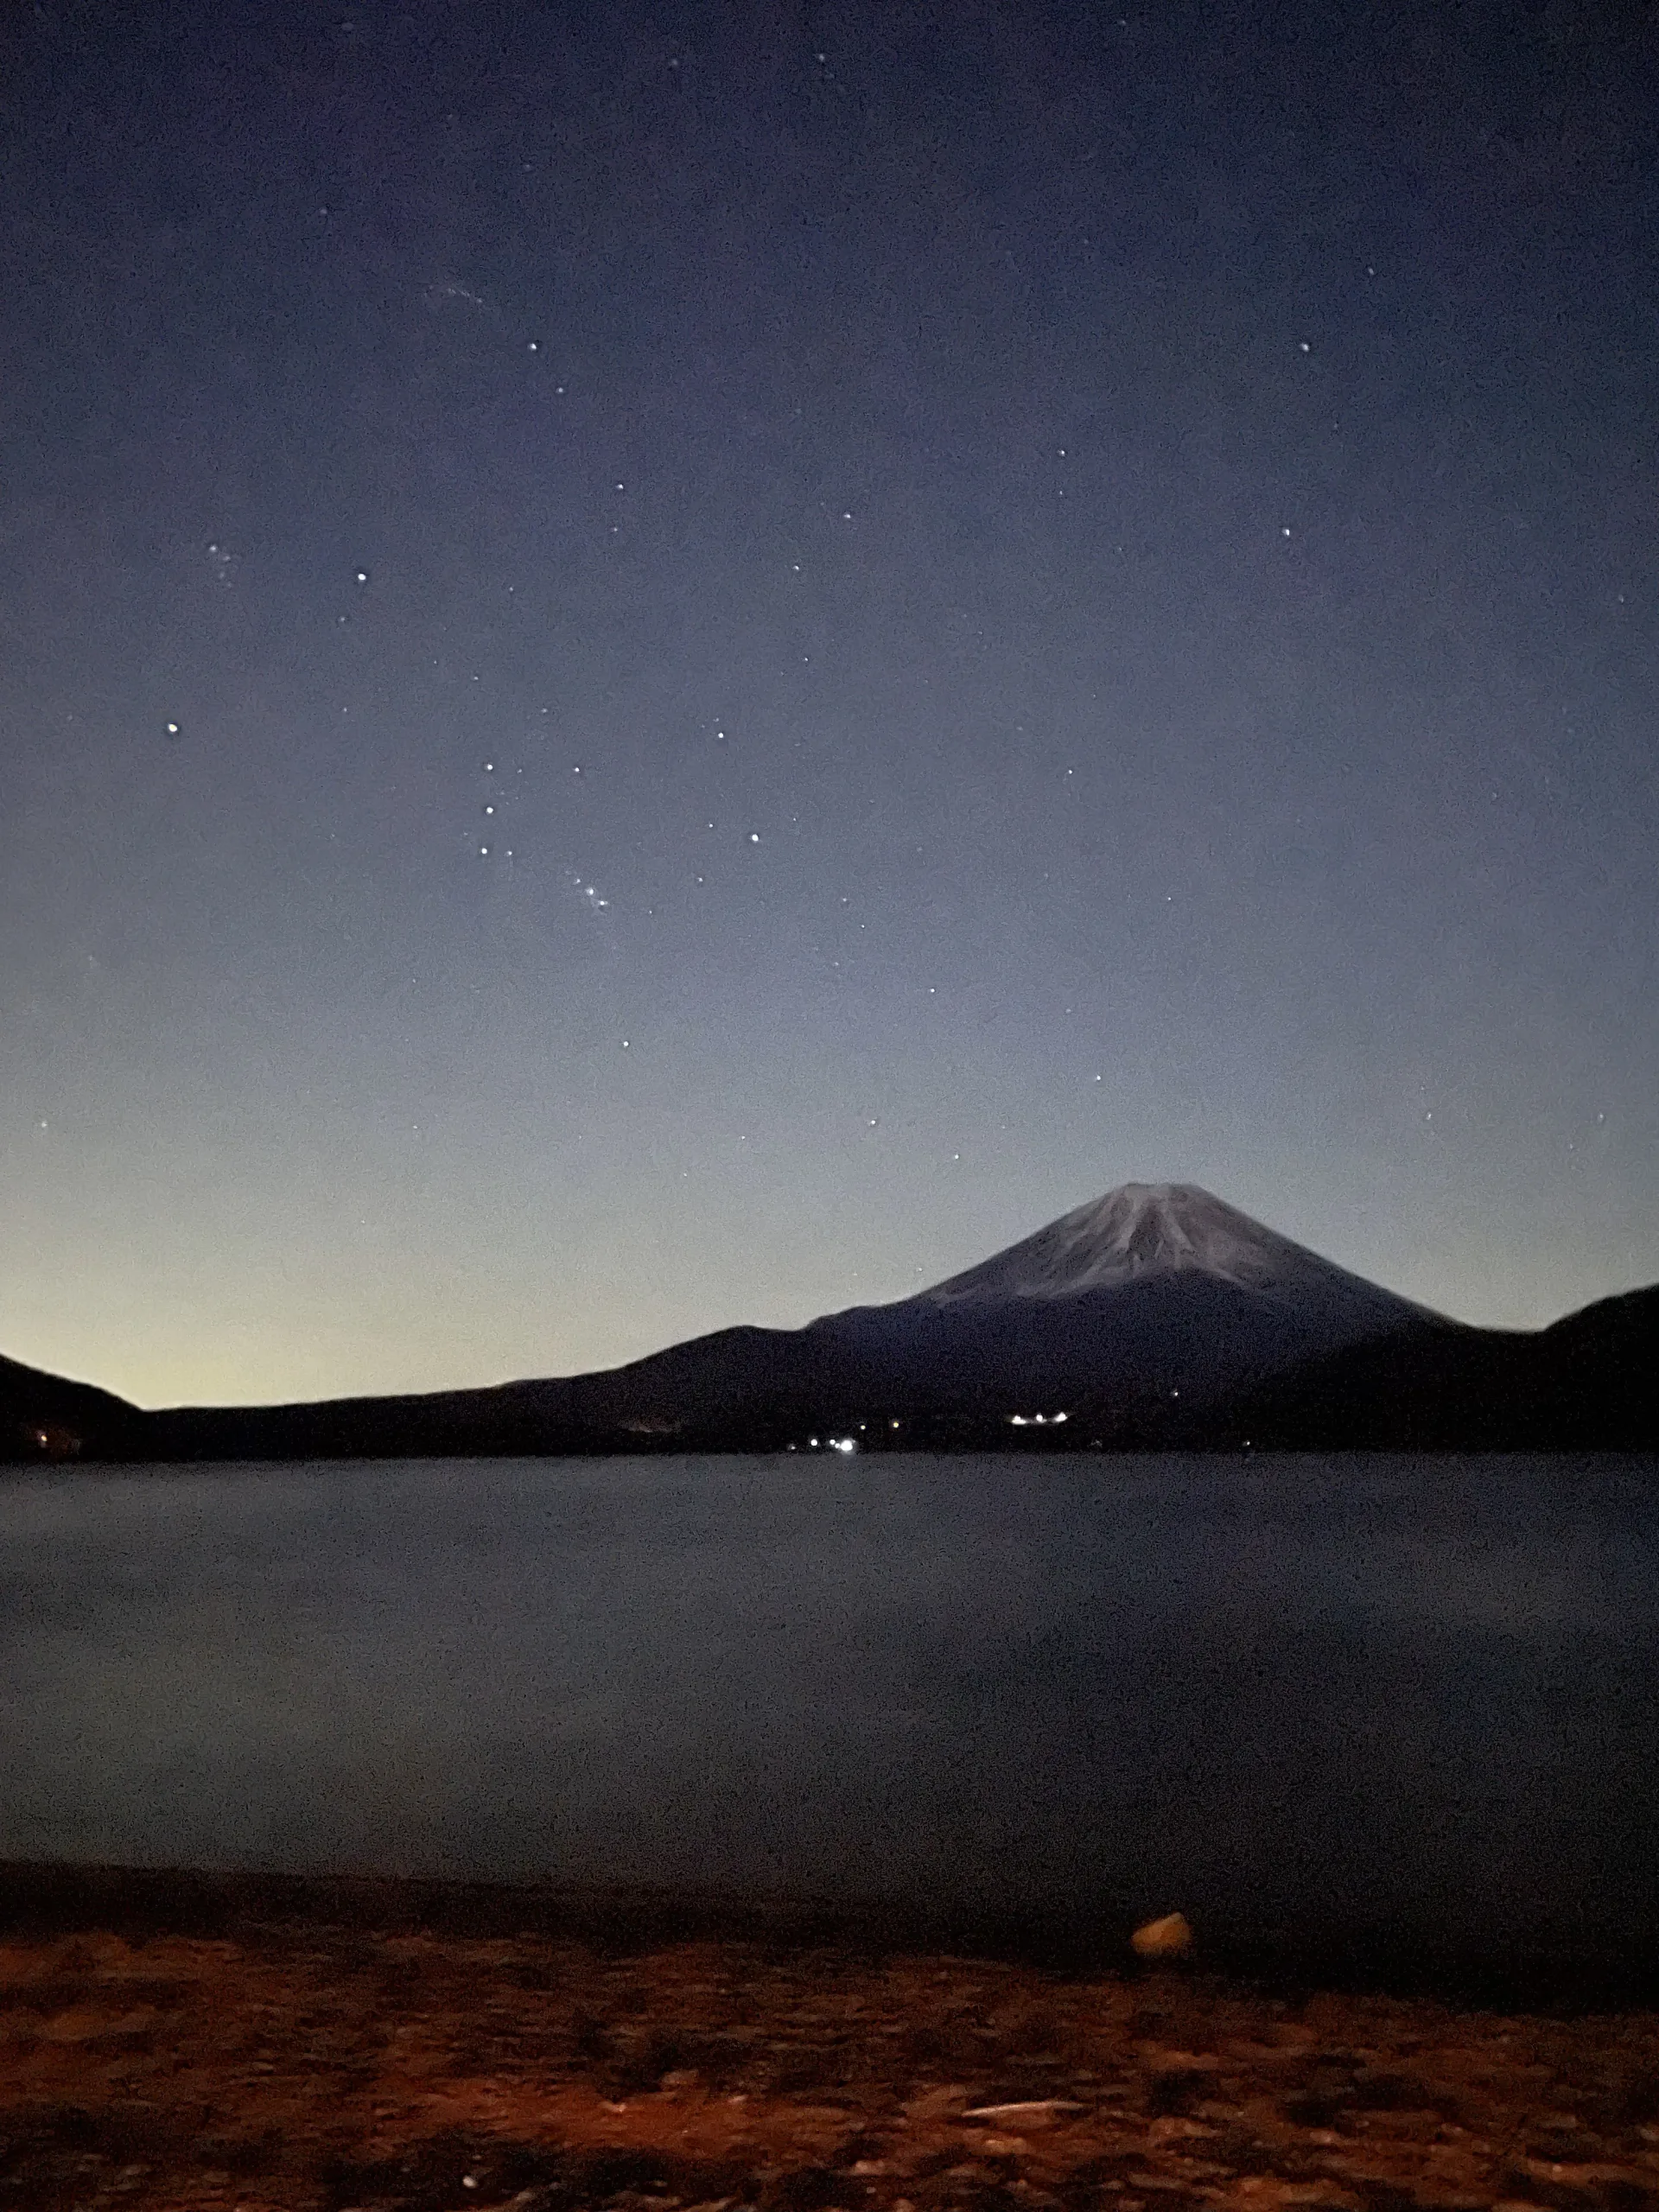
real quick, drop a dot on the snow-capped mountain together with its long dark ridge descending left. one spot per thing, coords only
(1129, 1315)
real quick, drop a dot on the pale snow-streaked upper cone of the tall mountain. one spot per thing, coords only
(1147, 1231)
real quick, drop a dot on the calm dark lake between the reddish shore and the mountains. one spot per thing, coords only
(1412, 1693)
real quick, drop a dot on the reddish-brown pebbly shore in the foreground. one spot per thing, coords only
(189, 2041)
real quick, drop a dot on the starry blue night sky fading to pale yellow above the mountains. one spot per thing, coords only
(669, 665)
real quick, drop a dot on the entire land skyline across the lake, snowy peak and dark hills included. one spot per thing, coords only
(1154, 1317)
